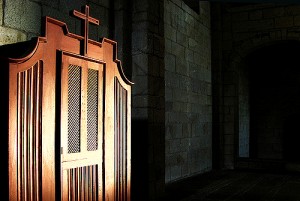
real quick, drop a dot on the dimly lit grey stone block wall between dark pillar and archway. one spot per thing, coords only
(188, 86)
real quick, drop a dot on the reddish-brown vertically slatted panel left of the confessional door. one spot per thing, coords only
(29, 135)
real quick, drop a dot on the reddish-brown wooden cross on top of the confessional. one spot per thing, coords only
(87, 18)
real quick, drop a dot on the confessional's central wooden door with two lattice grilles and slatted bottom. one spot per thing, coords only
(81, 128)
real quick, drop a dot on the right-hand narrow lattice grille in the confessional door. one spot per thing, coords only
(92, 110)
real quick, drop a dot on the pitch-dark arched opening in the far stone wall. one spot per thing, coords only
(274, 100)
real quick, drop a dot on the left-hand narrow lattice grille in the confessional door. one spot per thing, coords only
(74, 102)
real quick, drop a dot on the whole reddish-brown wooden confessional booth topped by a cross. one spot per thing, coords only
(66, 111)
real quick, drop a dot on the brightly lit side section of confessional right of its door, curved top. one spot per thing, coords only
(117, 131)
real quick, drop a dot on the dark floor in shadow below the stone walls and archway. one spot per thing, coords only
(237, 186)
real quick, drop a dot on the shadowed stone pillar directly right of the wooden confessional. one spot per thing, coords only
(148, 100)
